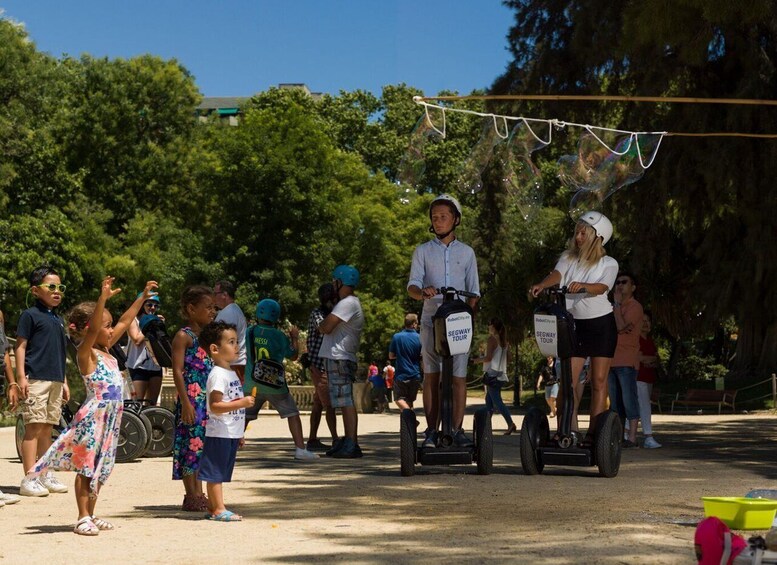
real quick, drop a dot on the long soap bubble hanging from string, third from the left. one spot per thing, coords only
(520, 176)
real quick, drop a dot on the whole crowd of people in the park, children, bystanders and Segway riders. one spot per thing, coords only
(224, 369)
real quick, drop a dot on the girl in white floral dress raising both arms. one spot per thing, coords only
(88, 445)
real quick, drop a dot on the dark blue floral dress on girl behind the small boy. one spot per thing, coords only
(189, 439)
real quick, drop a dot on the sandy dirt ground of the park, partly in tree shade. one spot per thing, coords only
(363, 511)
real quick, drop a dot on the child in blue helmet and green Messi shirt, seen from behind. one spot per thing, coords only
(263, 341)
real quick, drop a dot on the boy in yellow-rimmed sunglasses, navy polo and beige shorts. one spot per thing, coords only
(40, 375)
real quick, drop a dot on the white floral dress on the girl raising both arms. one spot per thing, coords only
(88, 445)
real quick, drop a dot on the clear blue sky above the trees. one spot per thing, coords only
(238, 48)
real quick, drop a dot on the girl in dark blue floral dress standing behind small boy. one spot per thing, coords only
(191, 367)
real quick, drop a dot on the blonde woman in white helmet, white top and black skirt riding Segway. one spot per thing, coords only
(589, 274)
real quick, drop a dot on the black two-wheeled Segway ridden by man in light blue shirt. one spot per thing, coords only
(452, 336)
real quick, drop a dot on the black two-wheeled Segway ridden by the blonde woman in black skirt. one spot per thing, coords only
(554, 330)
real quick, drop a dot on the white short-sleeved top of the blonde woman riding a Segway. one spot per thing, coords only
(584, 306)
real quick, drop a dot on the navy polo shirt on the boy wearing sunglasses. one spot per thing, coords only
(44, 330)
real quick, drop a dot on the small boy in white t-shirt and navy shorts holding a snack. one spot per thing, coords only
(226, 416)
